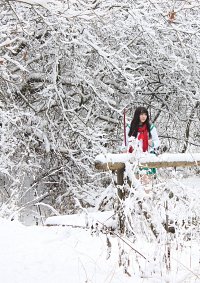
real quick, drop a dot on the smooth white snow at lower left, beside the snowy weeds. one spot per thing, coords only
(49, 255)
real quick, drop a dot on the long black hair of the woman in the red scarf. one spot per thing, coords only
(135, 123)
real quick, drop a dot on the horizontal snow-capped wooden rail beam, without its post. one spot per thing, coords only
(117, 161)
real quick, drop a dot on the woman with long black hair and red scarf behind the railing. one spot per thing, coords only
(145, 139)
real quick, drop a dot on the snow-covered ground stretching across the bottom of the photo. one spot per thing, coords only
(72, 255)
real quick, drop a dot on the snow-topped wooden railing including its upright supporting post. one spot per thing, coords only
(117, 162)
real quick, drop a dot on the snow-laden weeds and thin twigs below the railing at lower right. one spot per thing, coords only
(167, 219)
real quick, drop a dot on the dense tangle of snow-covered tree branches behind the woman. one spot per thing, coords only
(68, 69)
